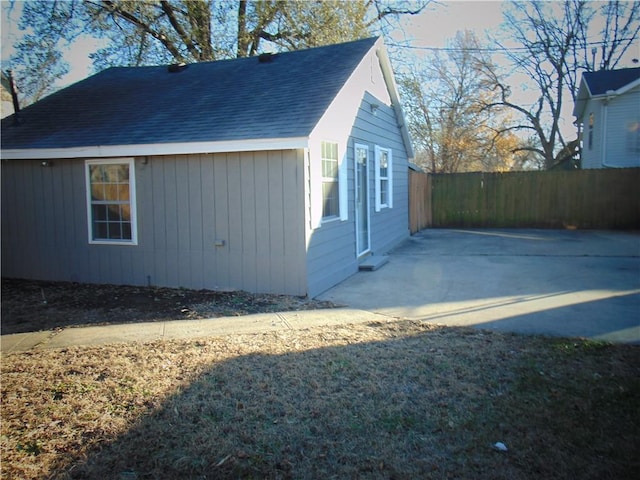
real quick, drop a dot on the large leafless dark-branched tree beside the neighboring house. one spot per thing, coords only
(554, 40)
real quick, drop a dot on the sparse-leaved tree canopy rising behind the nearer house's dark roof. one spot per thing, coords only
(162, 31)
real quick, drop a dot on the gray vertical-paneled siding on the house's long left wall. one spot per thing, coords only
(253, 201)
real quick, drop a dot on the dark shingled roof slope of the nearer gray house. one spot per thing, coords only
(275, 97)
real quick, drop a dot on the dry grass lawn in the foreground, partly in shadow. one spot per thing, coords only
(388, 400)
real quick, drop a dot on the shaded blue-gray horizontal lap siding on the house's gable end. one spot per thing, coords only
(332, 253)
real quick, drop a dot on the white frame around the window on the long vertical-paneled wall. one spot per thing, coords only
(132, 201)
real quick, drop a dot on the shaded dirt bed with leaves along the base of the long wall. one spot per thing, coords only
(32, 306)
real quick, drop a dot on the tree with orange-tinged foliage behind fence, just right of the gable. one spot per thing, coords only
(444, 100)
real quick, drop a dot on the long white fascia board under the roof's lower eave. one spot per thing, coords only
(143, 150)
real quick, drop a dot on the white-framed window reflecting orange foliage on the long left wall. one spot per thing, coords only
(111, 201)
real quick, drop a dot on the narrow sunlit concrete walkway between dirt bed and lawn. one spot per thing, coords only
(182, 329)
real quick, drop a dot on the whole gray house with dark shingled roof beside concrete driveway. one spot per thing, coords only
(273, 174)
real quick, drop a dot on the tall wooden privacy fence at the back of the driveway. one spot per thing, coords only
(595, 199)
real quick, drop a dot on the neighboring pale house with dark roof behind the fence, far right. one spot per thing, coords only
(607, 110)
